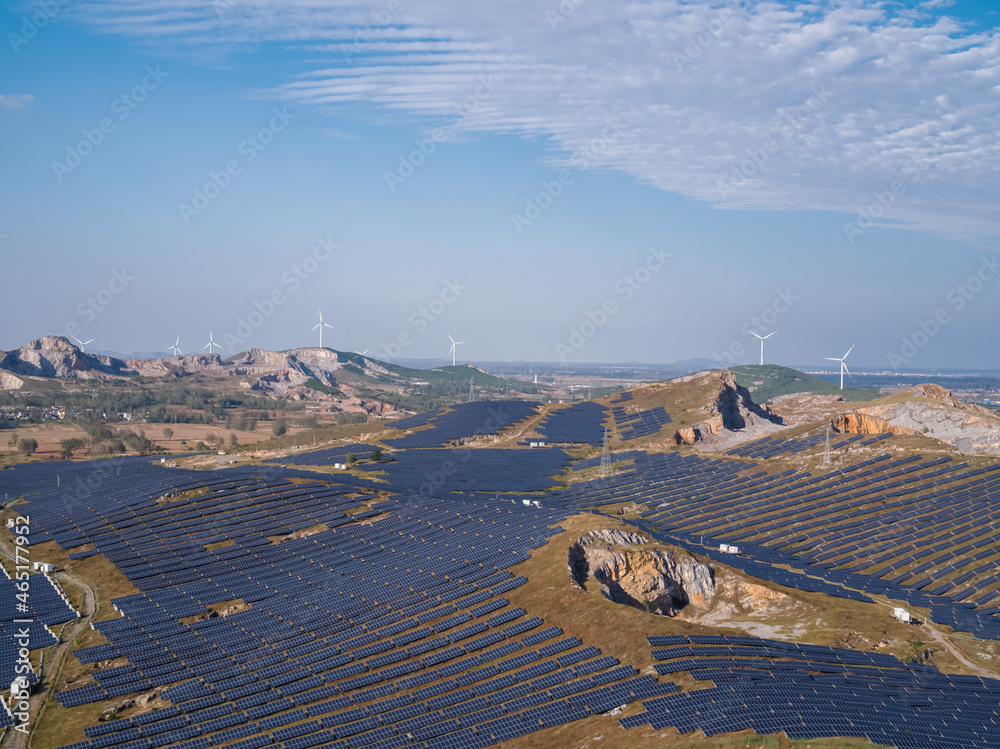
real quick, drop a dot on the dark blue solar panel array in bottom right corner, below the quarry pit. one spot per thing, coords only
(808, 692)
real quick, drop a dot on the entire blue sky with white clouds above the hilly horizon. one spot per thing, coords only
(508, 176)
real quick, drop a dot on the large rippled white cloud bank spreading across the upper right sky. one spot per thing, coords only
(696, 90)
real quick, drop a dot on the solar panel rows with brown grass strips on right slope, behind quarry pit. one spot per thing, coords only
(908, 528)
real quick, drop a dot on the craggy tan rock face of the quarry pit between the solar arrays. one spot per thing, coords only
(650, 579)
